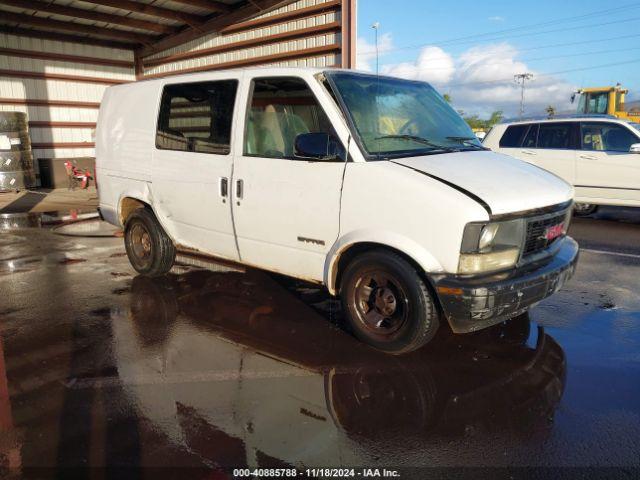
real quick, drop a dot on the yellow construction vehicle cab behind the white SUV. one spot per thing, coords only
(606, 101)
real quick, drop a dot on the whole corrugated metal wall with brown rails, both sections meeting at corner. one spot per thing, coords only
(60, 84)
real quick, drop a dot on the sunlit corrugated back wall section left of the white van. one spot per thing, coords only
(60, 90)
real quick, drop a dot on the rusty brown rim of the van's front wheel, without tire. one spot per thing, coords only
(381, 304)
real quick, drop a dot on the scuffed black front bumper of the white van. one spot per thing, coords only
(471, 304)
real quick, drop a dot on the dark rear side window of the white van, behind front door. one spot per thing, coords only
(197, 117)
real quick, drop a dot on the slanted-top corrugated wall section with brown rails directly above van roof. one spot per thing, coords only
(303, 33)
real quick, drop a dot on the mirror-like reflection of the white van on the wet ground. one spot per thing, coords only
(266, 377)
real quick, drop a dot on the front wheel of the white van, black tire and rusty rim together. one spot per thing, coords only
(387, 303)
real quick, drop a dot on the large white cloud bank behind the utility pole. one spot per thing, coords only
(480, 79)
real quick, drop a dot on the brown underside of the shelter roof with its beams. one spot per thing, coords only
(121, 29)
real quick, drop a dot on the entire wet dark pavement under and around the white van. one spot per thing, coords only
(199, 372)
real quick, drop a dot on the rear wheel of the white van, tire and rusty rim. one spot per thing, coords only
(150, 251)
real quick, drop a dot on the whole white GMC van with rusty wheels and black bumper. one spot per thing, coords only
(372, 186)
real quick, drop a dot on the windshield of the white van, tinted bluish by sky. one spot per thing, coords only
(398, 118)
